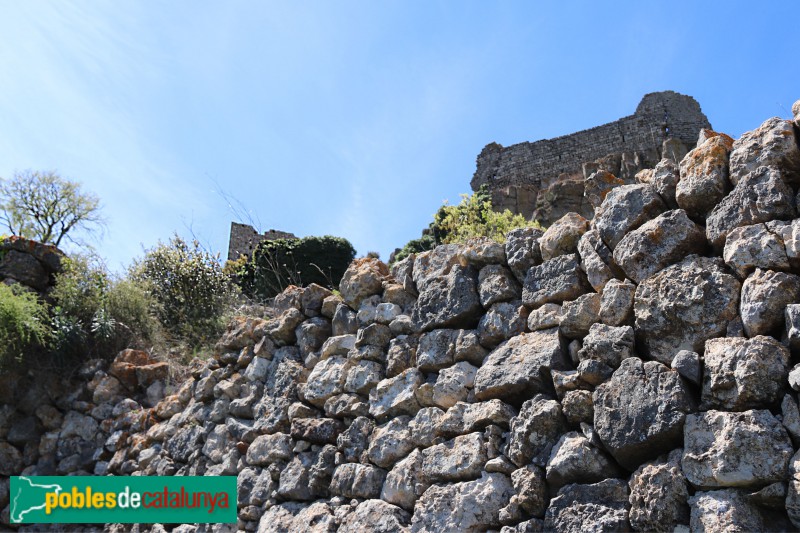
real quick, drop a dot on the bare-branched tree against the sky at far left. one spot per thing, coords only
(45, 207)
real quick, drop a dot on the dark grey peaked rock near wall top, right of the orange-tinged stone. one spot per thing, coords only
(449, 301)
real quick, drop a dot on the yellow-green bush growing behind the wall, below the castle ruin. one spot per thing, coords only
(472, 217)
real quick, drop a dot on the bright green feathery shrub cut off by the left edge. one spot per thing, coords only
(23, 324)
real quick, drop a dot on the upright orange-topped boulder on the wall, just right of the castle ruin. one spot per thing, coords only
(704, 175)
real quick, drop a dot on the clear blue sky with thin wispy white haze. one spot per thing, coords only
(355, 119)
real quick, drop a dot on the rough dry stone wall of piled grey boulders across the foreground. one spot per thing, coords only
(637, 371)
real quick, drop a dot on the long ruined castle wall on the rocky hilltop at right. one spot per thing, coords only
(544, 179)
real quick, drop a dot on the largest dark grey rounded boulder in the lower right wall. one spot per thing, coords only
(639, 413)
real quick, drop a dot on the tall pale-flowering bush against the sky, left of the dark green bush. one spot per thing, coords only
(190, 292)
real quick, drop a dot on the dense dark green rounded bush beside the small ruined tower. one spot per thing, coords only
(277, 264)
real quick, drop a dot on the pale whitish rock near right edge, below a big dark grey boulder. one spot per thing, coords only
(755, 246)
